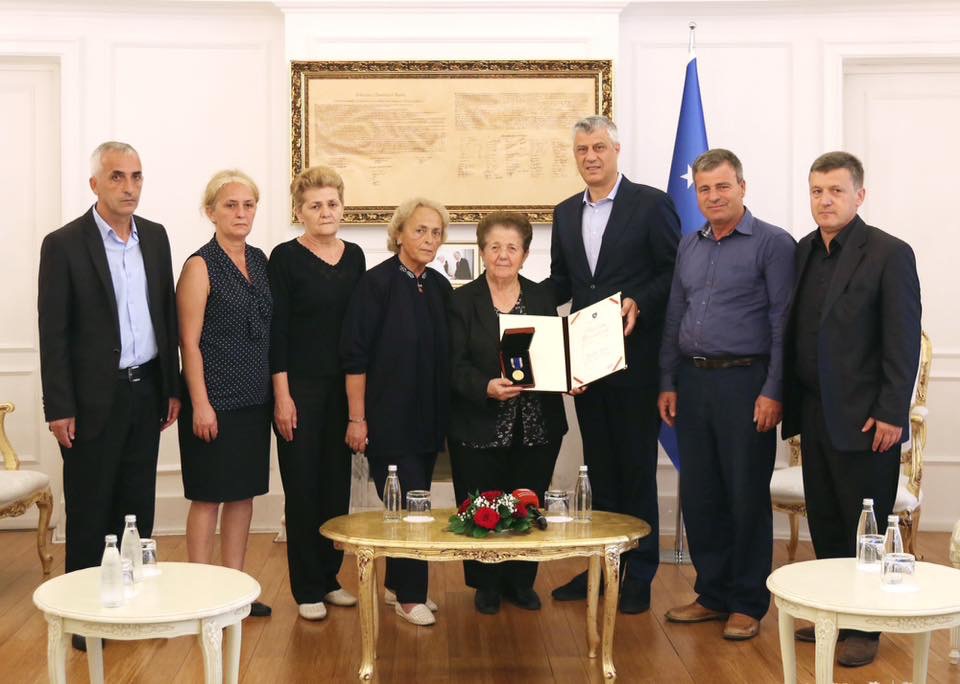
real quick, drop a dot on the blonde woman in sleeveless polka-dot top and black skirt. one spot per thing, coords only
(224, 306)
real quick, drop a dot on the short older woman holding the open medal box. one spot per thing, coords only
(501, 437)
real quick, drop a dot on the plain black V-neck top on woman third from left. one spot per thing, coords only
(310, 299)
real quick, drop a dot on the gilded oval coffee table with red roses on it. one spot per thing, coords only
(607, 536)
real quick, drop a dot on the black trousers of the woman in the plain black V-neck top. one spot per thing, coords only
(315, 469)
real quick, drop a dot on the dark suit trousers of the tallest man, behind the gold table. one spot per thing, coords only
(619, 427)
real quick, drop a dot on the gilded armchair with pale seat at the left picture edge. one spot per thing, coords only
(21, 489)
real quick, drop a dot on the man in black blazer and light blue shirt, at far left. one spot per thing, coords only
(108, 355)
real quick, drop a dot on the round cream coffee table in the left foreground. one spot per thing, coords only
(186, 598)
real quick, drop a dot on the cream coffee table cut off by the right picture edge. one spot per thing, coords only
(834, 595)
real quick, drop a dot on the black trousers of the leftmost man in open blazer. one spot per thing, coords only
(112, 474)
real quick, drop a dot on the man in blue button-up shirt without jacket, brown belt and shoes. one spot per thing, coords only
(721, 364)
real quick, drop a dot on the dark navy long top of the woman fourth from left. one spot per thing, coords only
(396, 332)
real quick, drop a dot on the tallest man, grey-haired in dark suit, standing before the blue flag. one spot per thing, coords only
(618, 236)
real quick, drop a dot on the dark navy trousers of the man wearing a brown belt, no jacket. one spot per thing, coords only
(725, 486)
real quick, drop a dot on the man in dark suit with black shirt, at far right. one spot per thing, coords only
(852, 351)
